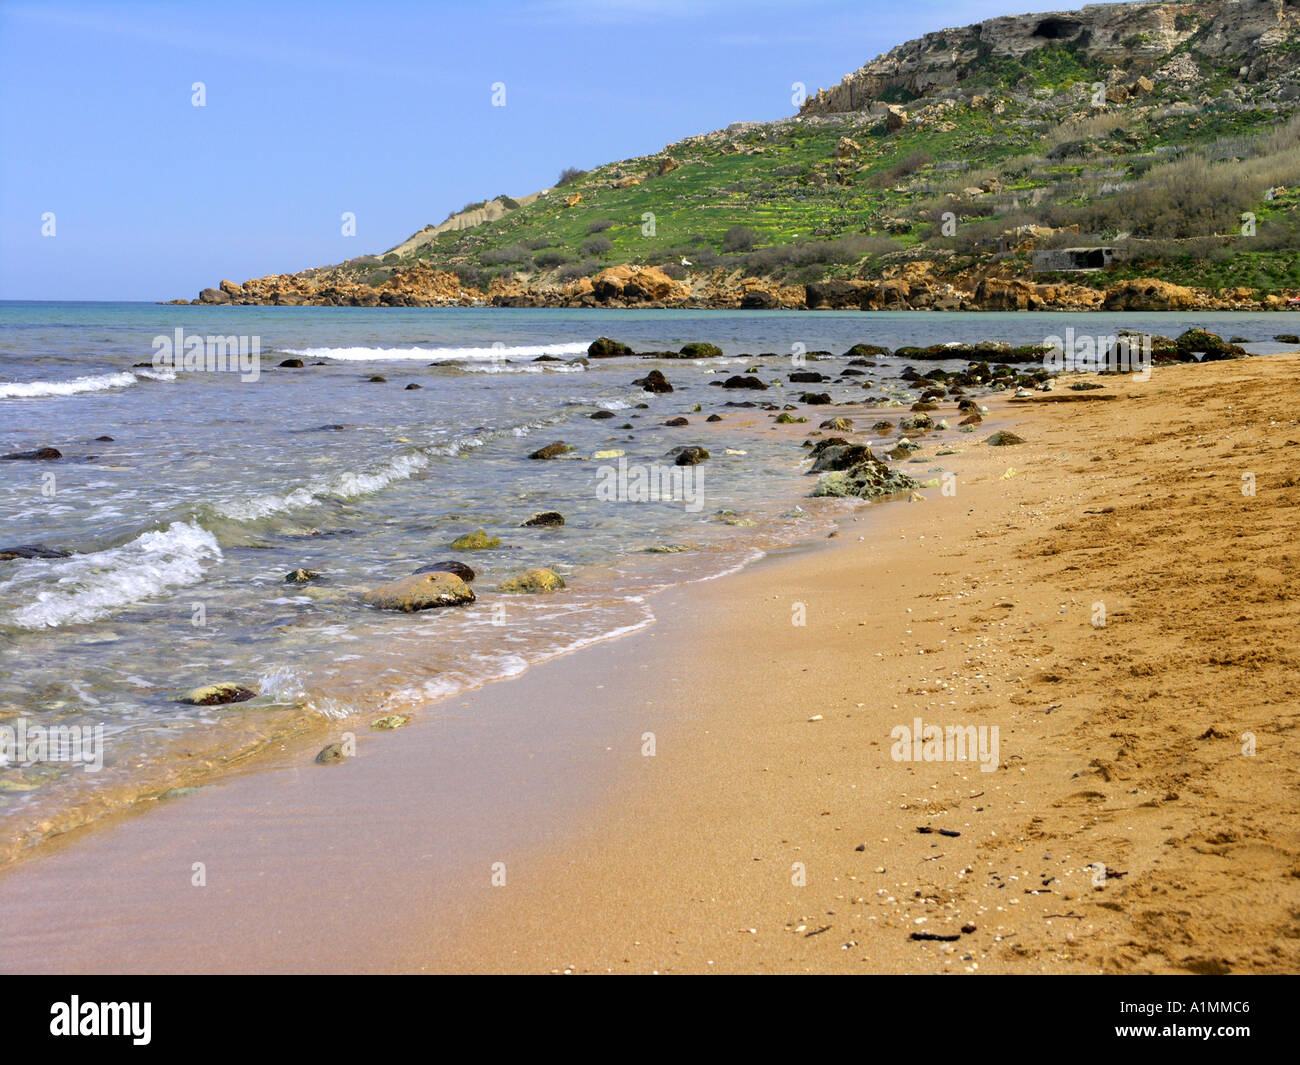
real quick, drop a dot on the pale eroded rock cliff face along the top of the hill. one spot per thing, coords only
(1137, 40)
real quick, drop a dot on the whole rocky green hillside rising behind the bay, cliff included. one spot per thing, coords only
(970, 168)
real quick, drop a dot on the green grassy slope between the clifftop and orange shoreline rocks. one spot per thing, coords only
(813, 217)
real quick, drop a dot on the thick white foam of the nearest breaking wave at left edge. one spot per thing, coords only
(86, 588)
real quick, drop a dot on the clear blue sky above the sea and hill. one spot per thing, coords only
(116, 185)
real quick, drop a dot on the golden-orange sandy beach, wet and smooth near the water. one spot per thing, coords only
(727, 791)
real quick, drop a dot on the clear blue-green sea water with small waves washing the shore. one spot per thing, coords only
(215, 484)
